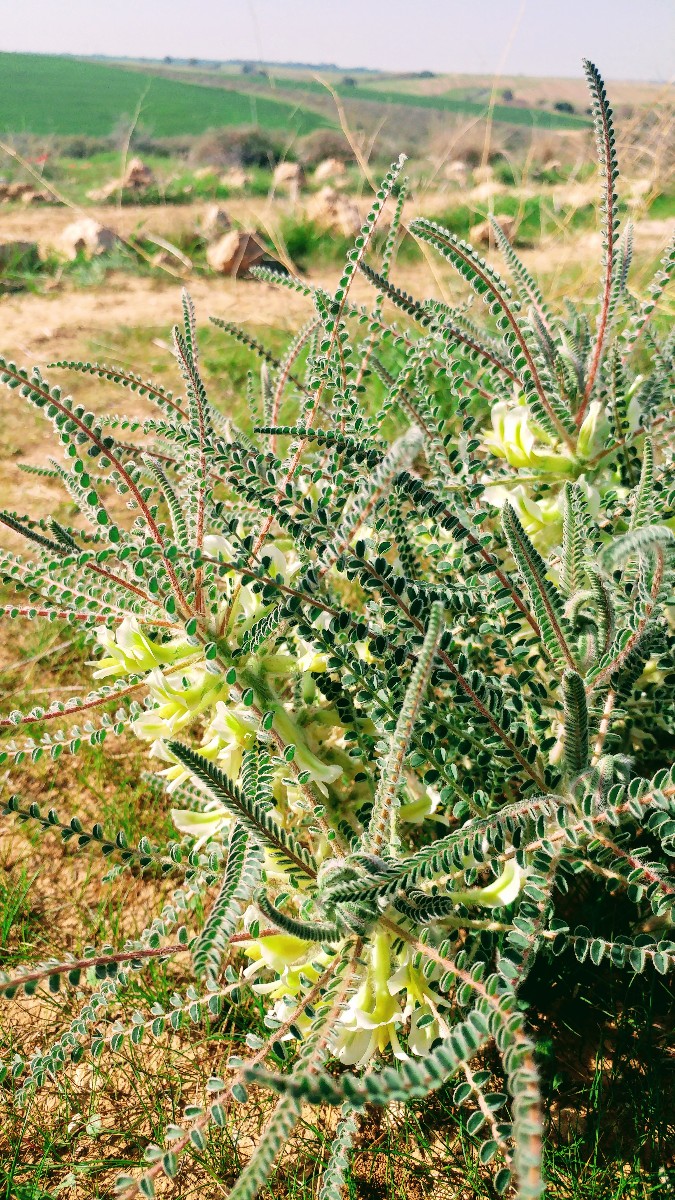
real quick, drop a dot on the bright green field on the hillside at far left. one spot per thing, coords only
(46, 94)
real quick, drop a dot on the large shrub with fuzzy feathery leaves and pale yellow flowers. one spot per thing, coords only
(404, 691)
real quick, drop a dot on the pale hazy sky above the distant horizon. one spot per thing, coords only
(628, 39)
